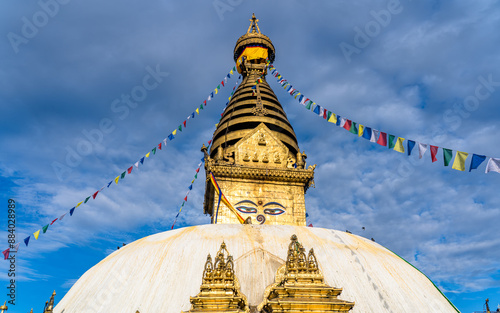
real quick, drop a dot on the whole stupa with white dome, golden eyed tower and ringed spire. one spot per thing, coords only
(270, 263)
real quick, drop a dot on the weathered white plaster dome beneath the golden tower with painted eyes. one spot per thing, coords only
(160, 272)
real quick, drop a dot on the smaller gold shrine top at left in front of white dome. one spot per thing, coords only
(220, 289)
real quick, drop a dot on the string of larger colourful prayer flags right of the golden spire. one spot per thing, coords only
(383, 138)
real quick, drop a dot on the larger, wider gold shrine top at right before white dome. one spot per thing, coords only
(300, 286)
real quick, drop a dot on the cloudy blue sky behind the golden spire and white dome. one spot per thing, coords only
(410, 70)
